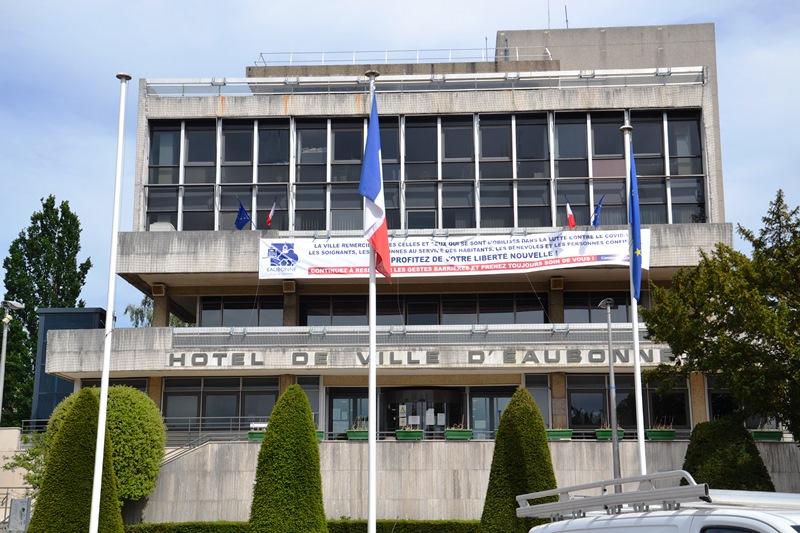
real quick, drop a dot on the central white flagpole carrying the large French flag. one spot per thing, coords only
(373, 381)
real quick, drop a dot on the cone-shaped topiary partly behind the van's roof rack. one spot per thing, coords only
(521, 464)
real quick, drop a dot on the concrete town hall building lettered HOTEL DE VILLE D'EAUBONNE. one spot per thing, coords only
(481, 159)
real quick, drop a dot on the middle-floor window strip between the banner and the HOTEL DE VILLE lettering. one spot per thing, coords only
(411, 310)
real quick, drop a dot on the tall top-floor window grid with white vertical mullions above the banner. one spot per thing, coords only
(473, 171)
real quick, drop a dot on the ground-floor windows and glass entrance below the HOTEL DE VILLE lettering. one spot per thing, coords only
(233, 403)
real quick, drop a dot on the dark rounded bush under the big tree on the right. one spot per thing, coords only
(723, 454)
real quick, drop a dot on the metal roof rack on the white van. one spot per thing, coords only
(612, 498)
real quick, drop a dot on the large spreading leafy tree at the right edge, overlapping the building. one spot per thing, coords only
(739, 317)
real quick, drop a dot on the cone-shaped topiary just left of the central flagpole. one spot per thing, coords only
(288, 492)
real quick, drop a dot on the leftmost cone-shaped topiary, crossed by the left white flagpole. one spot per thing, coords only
(65, 499)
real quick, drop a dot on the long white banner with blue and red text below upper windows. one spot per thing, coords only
(345, 257)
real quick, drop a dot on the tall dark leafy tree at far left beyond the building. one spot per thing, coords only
(42, 270)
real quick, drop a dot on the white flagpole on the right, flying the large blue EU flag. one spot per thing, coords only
(637, 377)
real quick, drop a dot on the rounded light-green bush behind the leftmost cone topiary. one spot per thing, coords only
(136, 431)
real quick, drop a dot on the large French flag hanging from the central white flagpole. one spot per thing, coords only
(371, 188)
